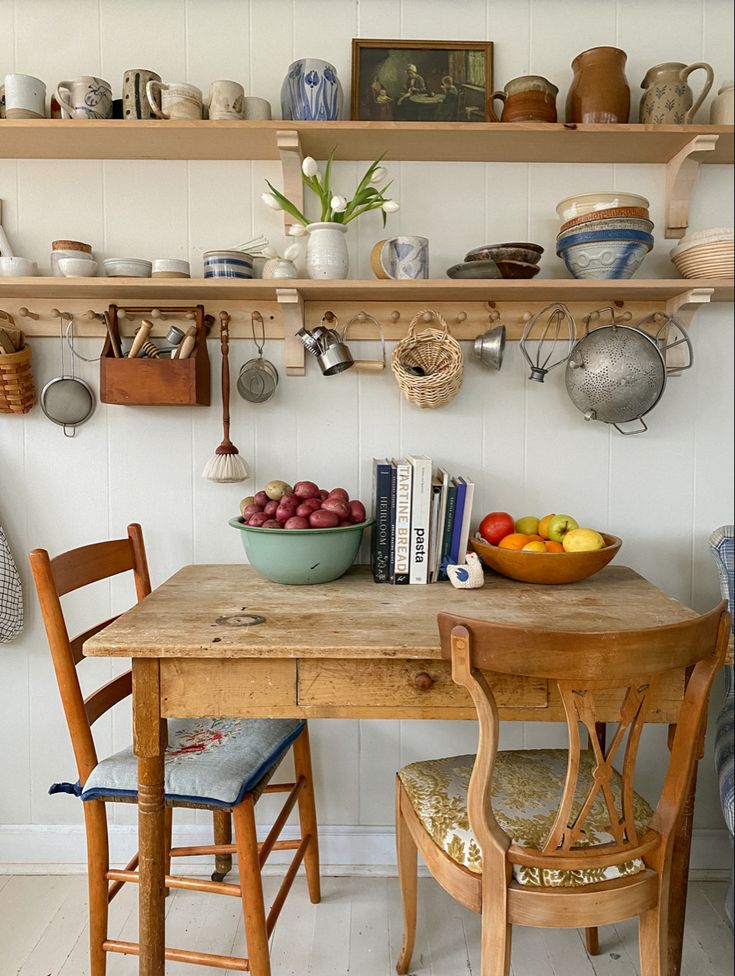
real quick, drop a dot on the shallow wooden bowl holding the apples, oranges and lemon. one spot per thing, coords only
(547, 567)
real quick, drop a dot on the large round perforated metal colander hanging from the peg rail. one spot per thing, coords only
(617, 373)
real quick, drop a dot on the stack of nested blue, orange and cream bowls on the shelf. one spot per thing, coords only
(604, 234)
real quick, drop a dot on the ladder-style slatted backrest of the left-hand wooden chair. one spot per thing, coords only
(56, 577)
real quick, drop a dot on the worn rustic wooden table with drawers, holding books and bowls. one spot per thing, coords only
(221, 641)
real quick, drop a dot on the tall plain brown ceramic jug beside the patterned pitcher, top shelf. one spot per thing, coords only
(599, 90)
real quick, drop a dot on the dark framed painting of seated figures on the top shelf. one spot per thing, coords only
(421, 81)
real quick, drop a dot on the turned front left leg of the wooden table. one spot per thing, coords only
(149, 741)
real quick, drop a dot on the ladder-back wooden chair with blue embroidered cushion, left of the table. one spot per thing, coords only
(220, 764)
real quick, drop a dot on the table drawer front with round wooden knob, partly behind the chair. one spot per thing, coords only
(420, 684)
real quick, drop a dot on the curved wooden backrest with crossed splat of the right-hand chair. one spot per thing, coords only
(581, 664)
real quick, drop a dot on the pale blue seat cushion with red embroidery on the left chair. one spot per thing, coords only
(211, 762)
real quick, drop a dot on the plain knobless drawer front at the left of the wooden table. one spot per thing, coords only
(227, 686)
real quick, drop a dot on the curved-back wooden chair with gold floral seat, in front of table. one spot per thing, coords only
(558, 838)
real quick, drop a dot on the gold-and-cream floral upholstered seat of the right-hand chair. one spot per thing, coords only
(526, 792)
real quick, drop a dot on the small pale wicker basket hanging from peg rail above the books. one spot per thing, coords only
(437, 354)
